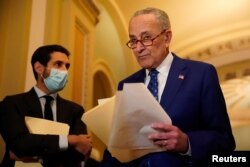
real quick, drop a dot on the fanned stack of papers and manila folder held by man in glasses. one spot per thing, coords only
(129, 116)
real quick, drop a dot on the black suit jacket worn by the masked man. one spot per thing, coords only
(14, 108)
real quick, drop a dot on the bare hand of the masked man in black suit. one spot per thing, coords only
(81, 143)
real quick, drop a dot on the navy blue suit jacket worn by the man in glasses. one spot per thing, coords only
(194, 101)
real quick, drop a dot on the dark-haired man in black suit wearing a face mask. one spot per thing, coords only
(50, 67)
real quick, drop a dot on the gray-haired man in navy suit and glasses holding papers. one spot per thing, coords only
(188, 91)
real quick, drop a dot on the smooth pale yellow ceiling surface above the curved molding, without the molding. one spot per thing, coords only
(195, 20)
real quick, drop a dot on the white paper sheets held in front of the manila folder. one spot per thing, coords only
(135, 110)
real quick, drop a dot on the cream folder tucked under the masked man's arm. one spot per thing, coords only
(43, 126)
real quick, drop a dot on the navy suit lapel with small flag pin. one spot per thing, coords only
(177, 74)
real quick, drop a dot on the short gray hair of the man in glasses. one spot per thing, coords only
(159, 14)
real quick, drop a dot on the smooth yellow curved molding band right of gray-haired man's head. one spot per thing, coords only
(210, 39)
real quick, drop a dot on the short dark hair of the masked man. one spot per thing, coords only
(43, 55)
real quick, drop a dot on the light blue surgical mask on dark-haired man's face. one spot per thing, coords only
(56, 80)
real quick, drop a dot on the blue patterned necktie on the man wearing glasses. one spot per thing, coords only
(153, 83)
